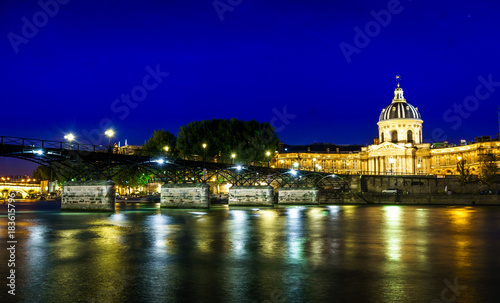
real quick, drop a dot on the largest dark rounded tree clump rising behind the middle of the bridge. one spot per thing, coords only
(249, 140)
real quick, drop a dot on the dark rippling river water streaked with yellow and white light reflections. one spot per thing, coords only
(282, 254)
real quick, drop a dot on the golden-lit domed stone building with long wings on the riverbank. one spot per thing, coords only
(398, 150)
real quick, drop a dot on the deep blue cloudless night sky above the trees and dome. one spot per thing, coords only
(263, 55)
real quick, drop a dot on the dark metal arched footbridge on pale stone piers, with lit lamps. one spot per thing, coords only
(182, 178)
